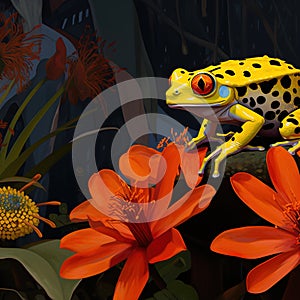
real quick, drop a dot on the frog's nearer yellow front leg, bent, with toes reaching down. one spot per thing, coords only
(252, 124)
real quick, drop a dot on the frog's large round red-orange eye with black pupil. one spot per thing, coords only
(203, 84)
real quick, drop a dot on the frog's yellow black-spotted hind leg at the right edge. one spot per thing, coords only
(290, 130)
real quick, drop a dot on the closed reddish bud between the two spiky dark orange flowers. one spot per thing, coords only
(56, 64)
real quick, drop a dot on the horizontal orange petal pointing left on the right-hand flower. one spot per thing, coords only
(253, 242)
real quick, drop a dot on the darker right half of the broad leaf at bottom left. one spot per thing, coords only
(55, 256)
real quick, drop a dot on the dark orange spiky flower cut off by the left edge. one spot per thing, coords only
(17, 51)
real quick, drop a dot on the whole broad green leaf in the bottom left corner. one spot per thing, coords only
(42, 261)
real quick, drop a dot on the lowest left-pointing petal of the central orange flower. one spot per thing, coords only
(96, 261)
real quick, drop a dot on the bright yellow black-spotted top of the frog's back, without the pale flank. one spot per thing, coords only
(237, 73)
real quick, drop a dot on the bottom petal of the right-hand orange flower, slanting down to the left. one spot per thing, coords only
(265, 275)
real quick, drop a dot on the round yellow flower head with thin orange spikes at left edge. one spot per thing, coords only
(19, 215)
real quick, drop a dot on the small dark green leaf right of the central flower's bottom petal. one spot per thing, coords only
(170, 269)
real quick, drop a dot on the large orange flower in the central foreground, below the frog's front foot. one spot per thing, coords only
(135, 223)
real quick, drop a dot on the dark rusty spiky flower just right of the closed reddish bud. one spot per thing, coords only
(89, 72)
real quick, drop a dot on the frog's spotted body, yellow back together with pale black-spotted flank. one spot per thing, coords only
(268, 86)
